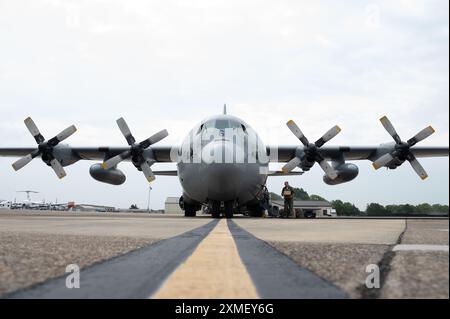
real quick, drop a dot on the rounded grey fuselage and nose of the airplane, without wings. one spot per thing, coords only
(222, 159)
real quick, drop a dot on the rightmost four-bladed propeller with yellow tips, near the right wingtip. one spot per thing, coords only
(402, 150)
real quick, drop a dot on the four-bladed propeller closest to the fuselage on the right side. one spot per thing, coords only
(311, 150)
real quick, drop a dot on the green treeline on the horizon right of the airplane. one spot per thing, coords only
(372, 209)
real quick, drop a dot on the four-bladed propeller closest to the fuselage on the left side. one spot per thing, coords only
(136, 151)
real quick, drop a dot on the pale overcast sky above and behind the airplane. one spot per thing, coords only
(168, 64)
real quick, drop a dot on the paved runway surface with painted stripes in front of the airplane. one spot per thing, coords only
(158, 256)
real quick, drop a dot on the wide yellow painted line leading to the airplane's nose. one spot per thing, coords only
(214, 270)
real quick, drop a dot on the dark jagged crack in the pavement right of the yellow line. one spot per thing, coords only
(385, 268)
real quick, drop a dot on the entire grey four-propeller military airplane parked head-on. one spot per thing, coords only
(223, 161)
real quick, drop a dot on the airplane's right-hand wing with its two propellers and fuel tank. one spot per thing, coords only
(390, 155)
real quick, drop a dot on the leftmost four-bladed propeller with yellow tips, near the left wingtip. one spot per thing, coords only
(45, 148)
